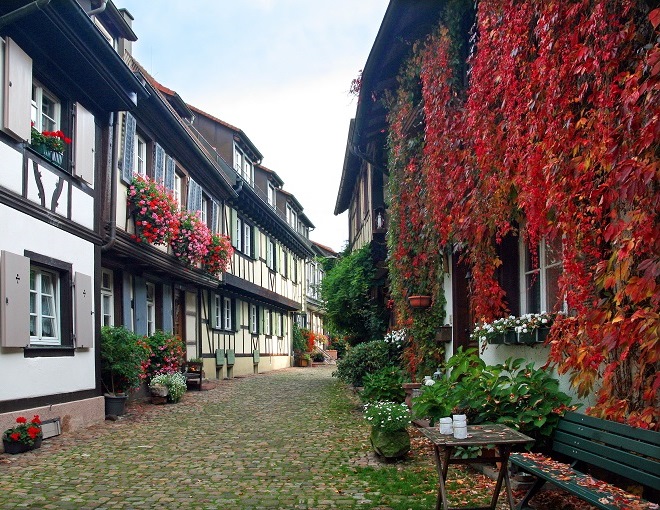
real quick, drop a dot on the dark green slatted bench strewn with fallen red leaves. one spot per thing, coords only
(630, 452)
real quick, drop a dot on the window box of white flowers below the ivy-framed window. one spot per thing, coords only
(527, 329)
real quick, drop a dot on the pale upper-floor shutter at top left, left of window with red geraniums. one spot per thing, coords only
(18, 91)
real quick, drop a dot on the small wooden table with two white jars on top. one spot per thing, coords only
(499, 436)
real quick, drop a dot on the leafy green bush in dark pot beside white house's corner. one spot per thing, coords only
(123, 356)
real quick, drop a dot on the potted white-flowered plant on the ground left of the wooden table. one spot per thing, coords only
(389, 434)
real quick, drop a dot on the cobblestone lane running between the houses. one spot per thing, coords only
(264, 441)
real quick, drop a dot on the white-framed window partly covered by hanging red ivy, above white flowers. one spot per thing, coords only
(541, 277)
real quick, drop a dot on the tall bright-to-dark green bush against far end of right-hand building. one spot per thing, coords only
(350, 311)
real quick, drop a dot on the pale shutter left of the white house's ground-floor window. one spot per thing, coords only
(14, 300)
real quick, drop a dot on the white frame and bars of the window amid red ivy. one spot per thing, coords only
(540, 275)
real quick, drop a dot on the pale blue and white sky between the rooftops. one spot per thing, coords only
(279, 70)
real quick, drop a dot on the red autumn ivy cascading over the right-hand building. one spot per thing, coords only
(556, 135)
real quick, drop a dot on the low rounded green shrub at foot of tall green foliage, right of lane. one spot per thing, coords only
(363, 359)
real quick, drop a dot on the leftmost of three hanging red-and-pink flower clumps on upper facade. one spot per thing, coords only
(155, 211)
